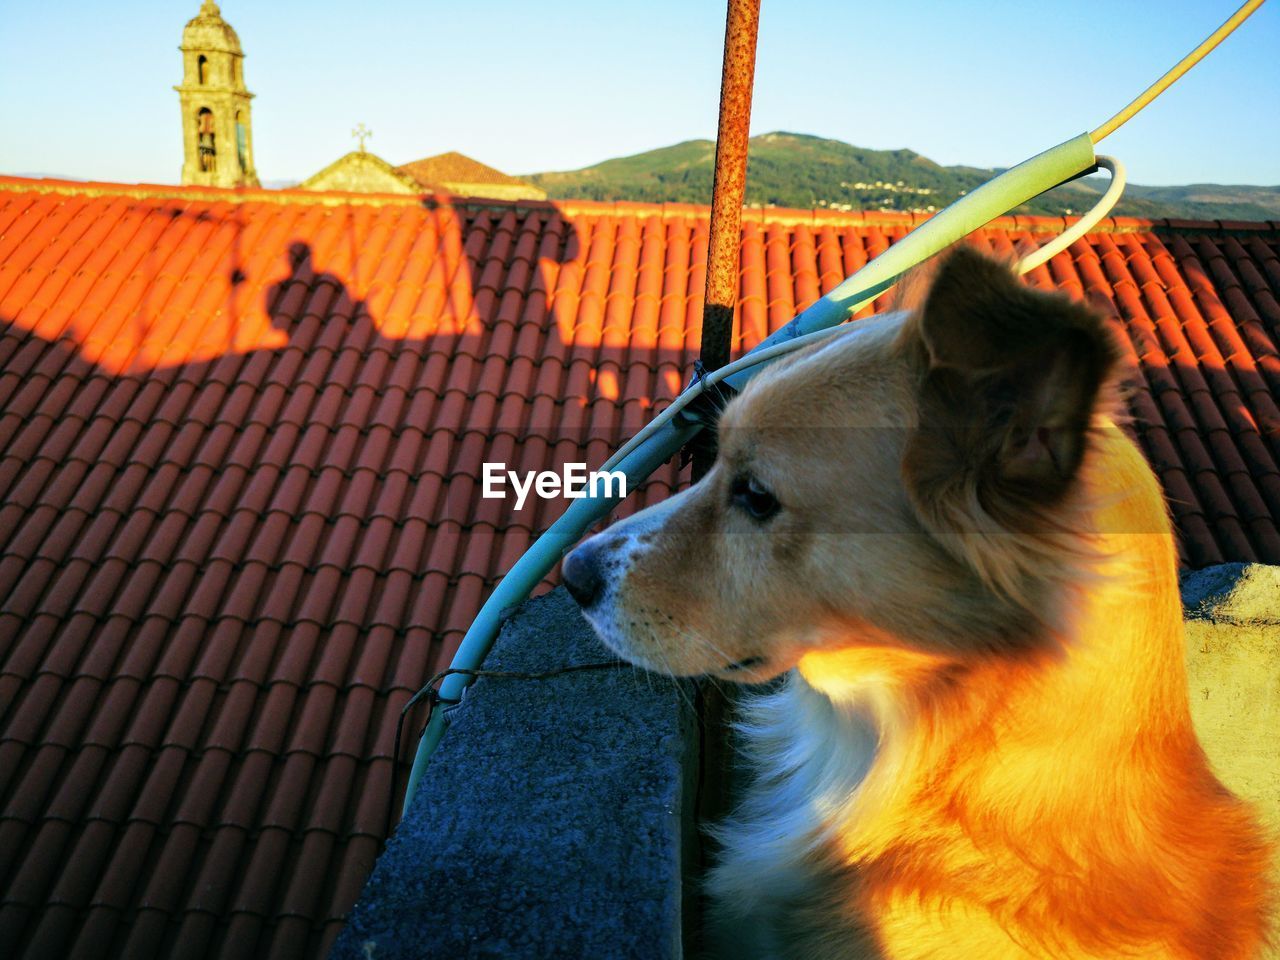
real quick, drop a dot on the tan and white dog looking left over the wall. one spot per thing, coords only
(932, 531)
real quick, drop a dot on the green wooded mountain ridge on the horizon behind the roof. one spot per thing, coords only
(799, 171)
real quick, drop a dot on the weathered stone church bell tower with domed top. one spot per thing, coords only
(217, 132)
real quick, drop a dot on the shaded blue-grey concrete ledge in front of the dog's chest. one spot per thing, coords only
(550, 824)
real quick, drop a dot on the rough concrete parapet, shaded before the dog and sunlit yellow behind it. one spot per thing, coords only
(556, 819)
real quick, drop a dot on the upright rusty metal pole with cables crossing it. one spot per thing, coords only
(728, 191)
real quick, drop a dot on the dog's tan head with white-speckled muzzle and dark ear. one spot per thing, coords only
(902, 486)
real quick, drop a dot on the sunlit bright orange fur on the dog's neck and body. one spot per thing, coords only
(1063, 807)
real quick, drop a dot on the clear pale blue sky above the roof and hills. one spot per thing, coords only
(86, 89)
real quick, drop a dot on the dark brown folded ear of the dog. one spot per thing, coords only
(1011, 382)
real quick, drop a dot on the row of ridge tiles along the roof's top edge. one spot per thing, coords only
(817, 217)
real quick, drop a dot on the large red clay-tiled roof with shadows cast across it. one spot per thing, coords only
(240, 522)
